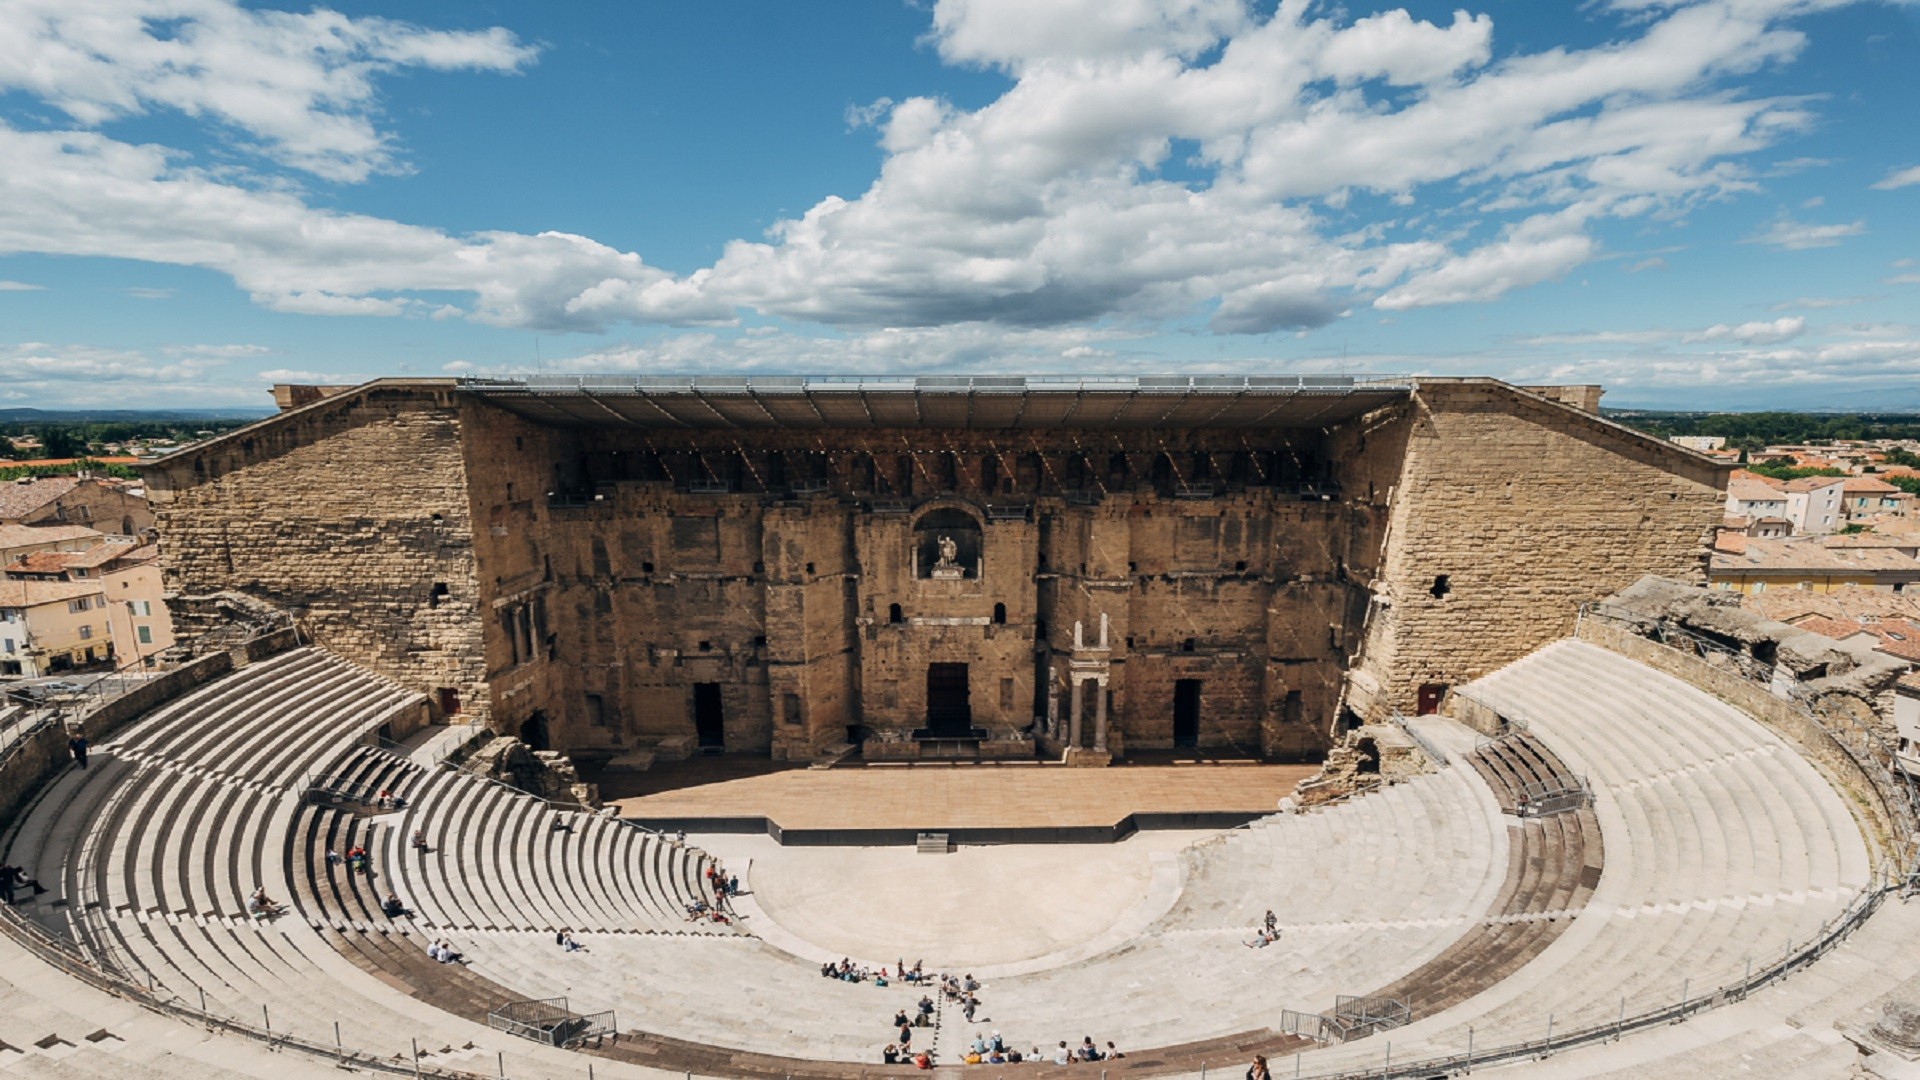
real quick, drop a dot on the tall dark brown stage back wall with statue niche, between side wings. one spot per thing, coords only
(815, 612)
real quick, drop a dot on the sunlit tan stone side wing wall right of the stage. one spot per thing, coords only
(1512, 512)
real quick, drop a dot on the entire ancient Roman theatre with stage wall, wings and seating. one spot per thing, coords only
(1051, 685)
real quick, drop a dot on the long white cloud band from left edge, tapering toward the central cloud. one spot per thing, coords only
(87, 195)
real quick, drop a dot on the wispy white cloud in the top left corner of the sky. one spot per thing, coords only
(302, 86)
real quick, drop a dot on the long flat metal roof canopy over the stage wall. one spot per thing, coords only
(988, 403)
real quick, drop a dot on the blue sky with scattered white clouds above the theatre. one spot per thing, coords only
(1698, 205)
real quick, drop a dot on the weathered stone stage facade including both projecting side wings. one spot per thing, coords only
(598, 583)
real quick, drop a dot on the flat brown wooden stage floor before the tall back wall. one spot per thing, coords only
(971, 797)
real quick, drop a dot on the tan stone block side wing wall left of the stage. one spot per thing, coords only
(350, 514)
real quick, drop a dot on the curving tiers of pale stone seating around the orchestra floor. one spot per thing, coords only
(1721, 843)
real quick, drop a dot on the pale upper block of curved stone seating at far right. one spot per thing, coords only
(1723, 847)
